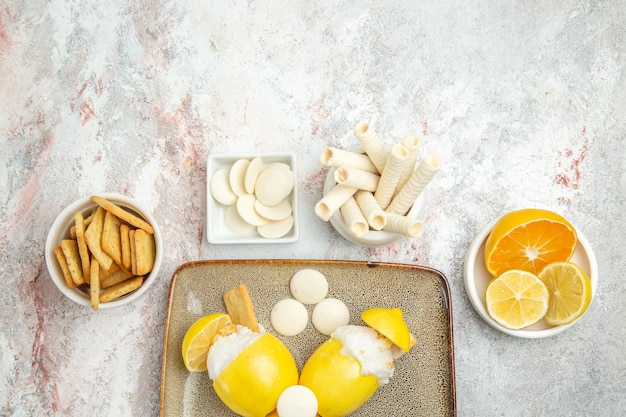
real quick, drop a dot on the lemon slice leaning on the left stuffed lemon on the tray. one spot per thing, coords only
(199, 338)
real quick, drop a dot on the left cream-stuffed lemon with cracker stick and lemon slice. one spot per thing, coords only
(249, 368)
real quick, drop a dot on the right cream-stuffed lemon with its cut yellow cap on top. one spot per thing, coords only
(346, 370)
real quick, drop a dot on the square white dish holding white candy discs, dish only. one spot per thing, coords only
(217, 230)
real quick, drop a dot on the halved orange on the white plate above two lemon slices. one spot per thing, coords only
(528, 240)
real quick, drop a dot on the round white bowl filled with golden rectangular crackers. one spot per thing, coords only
(104, 250)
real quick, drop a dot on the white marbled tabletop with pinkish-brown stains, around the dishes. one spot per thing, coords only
(524, 102)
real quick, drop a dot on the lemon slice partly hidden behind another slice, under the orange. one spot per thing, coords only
(570, 292)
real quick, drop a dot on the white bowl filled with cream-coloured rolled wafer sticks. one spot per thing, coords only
(374, 195)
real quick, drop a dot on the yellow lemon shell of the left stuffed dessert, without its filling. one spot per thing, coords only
(251, 384)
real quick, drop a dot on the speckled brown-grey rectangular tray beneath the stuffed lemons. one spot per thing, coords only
(423, 383)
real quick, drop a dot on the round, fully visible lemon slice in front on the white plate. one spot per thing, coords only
(517, 299)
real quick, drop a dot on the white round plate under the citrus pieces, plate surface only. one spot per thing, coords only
(477, 278)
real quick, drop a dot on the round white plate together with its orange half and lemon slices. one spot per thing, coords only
(530, 273)
